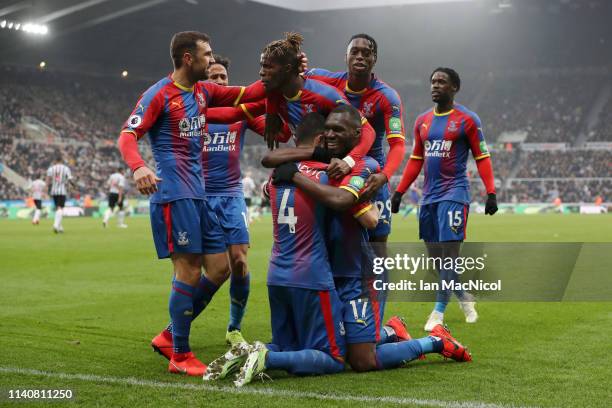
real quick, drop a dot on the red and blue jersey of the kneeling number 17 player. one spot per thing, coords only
(348, 241)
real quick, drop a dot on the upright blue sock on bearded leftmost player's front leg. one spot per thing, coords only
(181, 310)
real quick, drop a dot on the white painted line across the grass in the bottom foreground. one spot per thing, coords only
(271, 392)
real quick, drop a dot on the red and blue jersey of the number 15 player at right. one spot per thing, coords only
(443, 141)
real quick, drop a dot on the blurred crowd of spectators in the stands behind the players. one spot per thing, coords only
(82, 116)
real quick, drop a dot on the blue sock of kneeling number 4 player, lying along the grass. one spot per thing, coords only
(304, 362)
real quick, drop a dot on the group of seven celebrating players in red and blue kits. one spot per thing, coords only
(330, 199)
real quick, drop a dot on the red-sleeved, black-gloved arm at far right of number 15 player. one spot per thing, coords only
(473, 131)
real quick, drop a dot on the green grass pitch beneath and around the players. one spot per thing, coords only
(78, 311)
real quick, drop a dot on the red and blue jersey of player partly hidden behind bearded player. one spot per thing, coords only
(221, 156)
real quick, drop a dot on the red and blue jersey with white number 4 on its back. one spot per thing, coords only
(299, 256)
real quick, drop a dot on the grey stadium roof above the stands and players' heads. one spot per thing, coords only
(108, 36)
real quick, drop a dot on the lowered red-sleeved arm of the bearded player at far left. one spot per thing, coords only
(146, 113)
